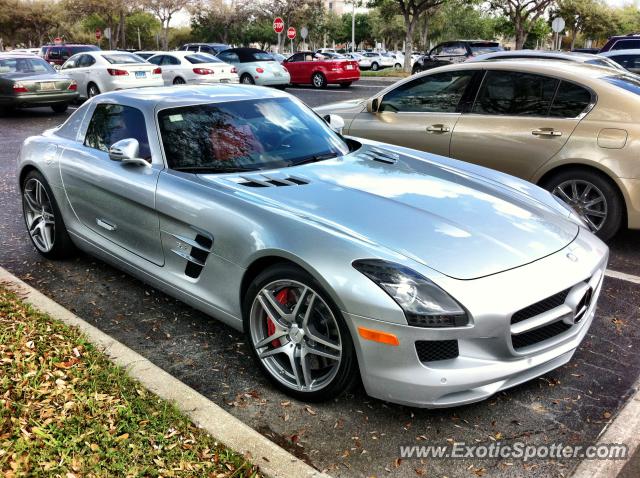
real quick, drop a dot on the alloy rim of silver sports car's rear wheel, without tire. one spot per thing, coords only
(38, 213)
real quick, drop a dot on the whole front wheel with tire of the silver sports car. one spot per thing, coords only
(297, 335)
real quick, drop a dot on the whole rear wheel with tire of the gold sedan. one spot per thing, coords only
(593, 196)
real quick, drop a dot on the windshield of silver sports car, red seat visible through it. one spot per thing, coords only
(245, 135)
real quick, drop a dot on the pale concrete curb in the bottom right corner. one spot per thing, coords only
(625, 429)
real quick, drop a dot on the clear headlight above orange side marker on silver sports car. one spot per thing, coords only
(423, 302)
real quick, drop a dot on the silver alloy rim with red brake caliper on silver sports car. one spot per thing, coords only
(295, 335)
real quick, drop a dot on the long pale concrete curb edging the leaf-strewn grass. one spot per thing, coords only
(274, 462)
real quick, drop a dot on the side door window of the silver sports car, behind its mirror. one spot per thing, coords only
(111, 123)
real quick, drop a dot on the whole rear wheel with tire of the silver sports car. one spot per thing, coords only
(43, 218)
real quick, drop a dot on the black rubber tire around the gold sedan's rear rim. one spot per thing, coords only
(614, 204)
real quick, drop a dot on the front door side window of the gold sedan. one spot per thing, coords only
(438, 93)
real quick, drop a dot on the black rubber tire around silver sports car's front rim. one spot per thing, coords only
(347, 375)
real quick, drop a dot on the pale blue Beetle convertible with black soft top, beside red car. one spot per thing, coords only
(256, 67)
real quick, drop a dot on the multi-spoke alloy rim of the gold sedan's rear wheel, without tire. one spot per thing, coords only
(586, 199)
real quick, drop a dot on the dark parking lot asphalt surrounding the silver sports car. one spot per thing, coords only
(354, 435)
